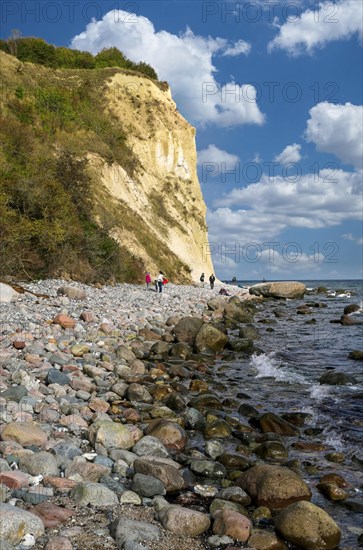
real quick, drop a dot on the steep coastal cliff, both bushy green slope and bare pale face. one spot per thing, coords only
(109, 147)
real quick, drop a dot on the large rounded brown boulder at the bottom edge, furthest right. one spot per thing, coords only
(308, 527)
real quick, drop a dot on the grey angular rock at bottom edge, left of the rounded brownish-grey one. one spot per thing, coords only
(125, 530)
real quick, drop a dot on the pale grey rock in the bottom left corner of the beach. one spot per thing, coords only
(16, 523)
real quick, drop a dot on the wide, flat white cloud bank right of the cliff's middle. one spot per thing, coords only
(266, 208)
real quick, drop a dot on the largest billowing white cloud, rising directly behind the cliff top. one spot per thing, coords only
(185, 61)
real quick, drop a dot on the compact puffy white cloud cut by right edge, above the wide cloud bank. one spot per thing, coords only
(337, 129)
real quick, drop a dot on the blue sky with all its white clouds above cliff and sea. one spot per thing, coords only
(274, 90)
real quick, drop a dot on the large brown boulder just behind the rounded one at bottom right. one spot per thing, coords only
(273, 486)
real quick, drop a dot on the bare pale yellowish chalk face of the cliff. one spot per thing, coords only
(163, 193)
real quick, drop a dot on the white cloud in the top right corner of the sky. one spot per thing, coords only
(317, 27)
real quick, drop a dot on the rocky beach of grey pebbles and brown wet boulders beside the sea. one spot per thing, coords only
(116, 430)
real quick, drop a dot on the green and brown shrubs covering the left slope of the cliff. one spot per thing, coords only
(52, 220)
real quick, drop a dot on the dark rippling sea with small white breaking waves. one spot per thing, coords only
(296, 350)
